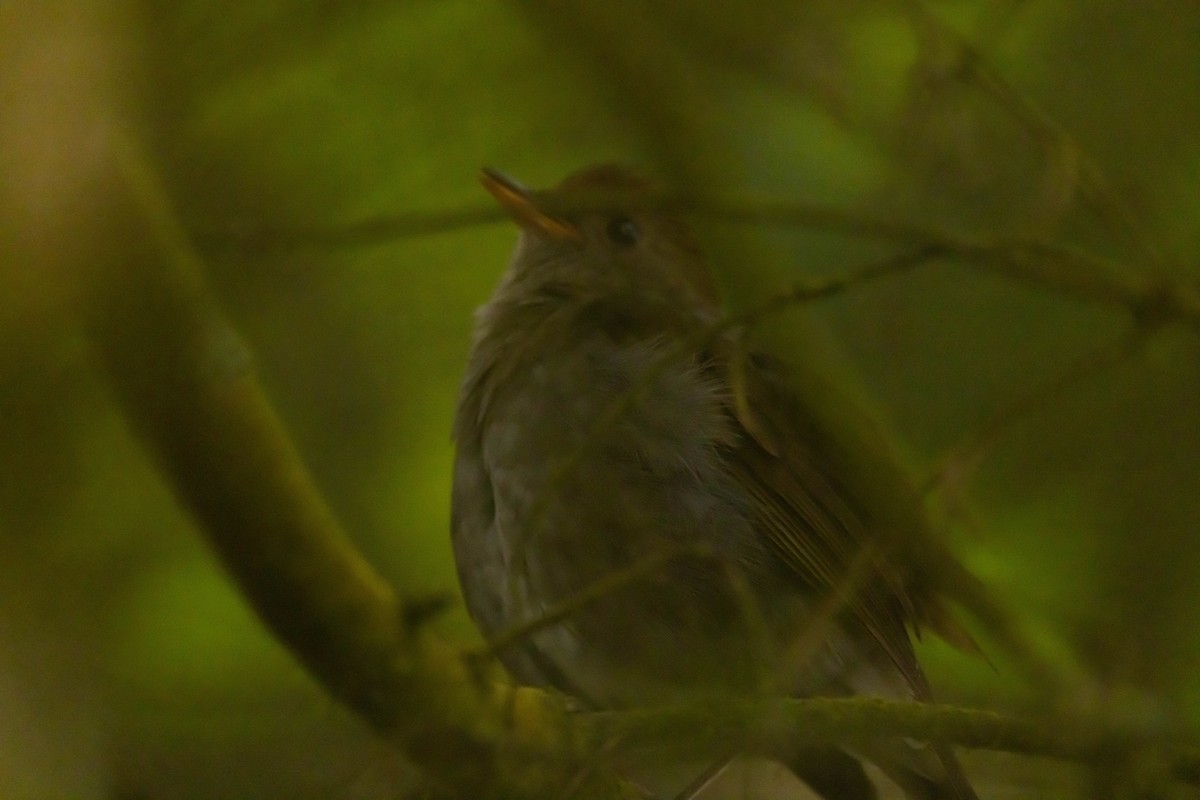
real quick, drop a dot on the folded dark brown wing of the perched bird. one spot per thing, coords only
(814, 512)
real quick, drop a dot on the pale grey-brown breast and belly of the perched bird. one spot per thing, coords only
(608, 458)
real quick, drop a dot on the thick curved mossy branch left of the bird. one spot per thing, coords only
(185, 384)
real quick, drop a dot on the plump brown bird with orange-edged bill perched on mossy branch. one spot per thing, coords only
(609, 430)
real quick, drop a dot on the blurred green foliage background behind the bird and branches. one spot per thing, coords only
(130, 669)
